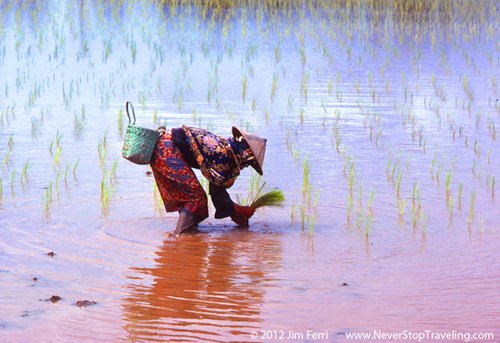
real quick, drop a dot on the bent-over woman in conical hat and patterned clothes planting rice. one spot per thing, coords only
(220, 161)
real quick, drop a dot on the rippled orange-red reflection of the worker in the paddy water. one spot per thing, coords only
(203, 287)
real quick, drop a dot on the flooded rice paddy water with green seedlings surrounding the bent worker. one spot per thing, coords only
(394, 228)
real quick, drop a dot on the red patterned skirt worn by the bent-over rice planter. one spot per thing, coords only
(179, 188)
